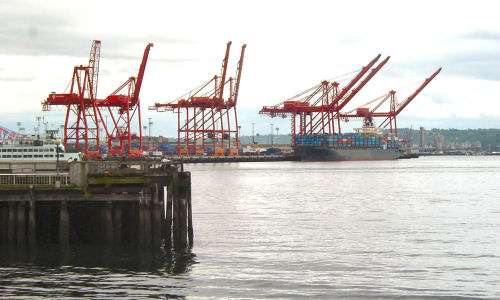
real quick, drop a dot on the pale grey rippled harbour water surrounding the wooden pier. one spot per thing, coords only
(419, 228)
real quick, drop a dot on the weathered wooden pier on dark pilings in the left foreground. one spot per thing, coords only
(146, 204)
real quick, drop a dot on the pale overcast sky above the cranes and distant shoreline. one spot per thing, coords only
(291, 46)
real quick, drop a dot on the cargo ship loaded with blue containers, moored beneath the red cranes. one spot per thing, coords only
(367, 143)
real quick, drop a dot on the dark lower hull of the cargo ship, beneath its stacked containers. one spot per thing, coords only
(323, 153)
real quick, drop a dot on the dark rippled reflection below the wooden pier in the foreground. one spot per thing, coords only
(94, 271)
